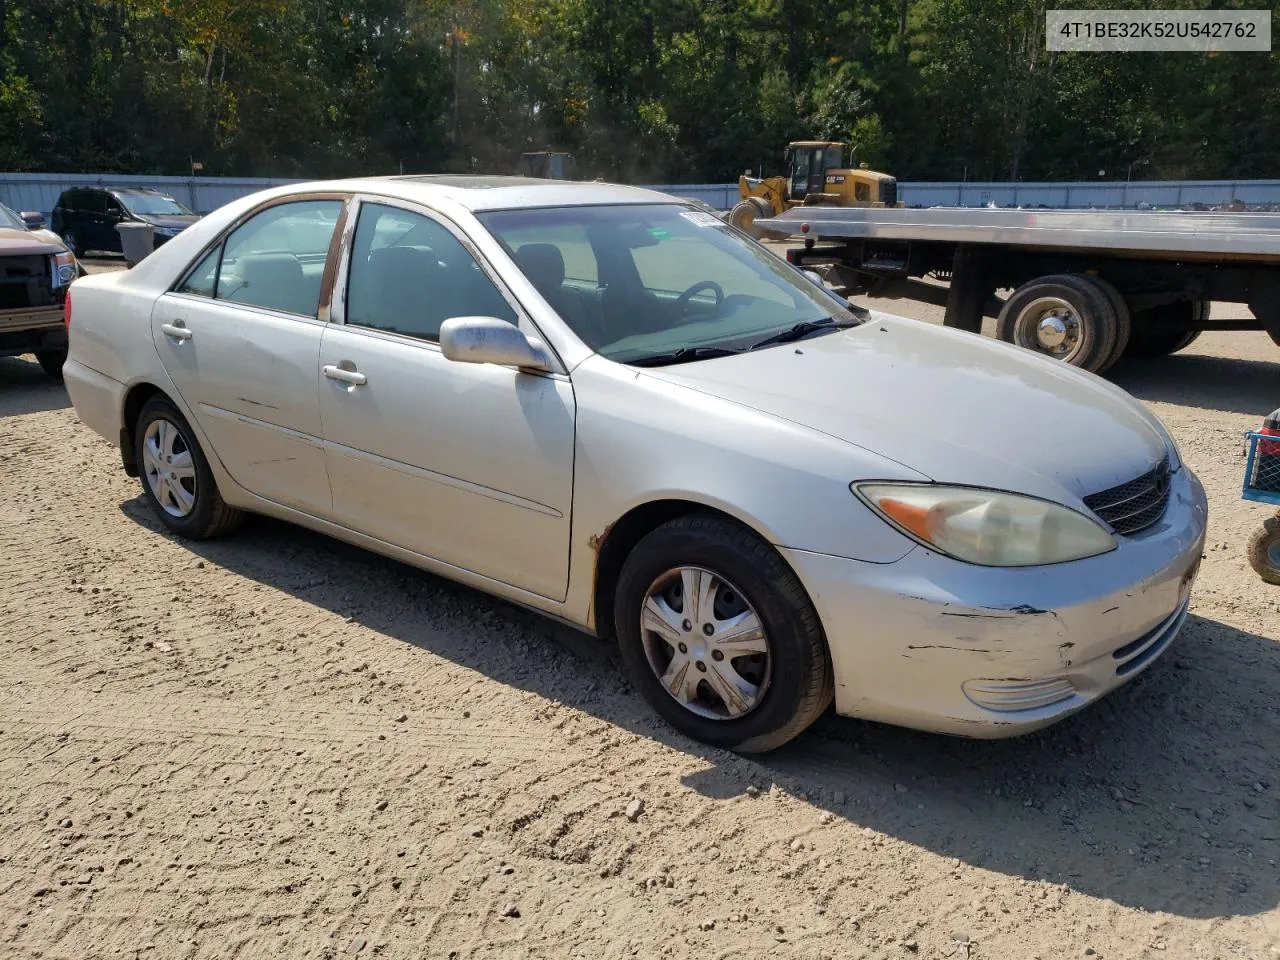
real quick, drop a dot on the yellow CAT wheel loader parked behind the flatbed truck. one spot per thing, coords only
(816, 176)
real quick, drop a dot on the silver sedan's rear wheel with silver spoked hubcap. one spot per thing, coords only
(176, 477)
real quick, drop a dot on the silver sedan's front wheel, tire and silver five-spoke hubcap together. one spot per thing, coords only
(720, 637)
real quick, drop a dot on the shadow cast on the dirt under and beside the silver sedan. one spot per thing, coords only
(1163, 797)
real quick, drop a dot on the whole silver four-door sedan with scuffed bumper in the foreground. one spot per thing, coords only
(612, 408)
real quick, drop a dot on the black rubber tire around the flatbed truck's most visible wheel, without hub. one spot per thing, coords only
(1099, 324)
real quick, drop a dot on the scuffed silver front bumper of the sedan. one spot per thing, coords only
(936, 644)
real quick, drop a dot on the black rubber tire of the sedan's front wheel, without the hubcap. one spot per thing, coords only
(801, 684)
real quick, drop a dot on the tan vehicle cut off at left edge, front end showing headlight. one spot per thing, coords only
(36, 269)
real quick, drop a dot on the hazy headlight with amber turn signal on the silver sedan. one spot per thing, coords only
(988, 527)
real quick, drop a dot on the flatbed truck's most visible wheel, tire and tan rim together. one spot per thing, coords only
(1064, 317)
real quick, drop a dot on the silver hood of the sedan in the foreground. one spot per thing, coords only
(953, 406)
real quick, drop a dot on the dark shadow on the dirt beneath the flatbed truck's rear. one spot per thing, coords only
(1227, 385)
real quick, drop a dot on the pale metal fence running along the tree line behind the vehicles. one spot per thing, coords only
(39, 191)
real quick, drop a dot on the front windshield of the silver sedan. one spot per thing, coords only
(637, 282)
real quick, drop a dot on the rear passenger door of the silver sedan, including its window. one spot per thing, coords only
(240, 337)
